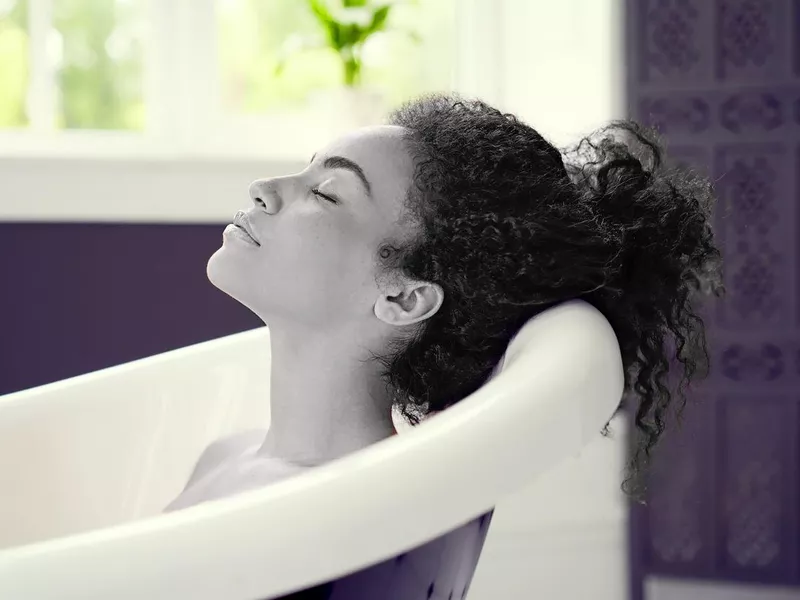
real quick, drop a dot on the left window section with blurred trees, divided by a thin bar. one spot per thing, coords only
(72, 64)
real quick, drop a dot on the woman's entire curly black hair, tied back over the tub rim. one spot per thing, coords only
(509, 226)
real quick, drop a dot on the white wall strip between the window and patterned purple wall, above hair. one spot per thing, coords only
(573, 54)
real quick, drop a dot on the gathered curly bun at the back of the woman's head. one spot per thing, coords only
(657, 212)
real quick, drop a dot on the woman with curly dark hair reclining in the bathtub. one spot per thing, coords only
(396, 267)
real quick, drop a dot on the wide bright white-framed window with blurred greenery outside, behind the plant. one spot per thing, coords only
(204, 77)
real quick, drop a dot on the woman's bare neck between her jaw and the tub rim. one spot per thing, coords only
(325, 399)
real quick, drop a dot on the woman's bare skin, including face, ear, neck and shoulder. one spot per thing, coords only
(308, 269)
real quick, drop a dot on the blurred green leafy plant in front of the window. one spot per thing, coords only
(347, 27)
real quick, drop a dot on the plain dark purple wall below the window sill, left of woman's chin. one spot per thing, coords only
(80, 297)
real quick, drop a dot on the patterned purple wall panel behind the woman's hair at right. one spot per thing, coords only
(721, 79)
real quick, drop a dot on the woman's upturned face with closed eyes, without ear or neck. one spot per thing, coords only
(317, 233)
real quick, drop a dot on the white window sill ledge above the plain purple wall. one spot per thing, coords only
(123, 188)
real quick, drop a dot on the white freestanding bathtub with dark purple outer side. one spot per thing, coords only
(88, 464)
